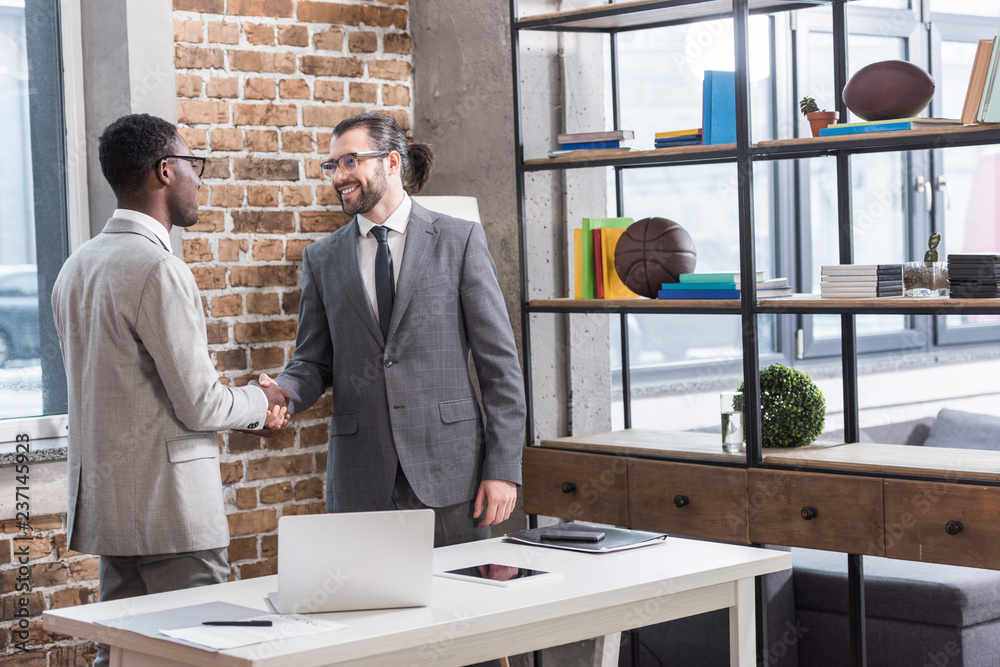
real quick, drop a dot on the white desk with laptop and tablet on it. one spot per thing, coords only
(468, 622)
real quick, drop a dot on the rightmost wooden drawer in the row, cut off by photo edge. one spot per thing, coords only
(919, 516)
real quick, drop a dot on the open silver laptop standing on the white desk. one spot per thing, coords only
(354, 560)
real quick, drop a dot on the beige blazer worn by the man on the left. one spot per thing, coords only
(145, 402)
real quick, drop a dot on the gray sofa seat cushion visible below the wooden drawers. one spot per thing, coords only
(897, 589)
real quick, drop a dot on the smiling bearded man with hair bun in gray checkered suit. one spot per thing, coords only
(393, 305)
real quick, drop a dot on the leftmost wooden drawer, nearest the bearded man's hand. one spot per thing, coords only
(571, 485)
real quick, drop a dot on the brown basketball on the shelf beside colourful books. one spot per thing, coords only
(653, 251)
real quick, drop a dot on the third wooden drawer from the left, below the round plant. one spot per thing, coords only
(816, 511)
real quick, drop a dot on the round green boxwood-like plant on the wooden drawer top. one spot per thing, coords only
(792, 408)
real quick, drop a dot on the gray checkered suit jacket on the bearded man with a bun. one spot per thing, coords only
(410, 398)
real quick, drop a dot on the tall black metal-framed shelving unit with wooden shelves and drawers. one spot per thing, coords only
(877, 468)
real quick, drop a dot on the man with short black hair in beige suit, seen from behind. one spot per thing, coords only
(145, 402)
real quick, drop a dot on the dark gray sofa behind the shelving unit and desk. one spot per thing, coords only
(917, 614)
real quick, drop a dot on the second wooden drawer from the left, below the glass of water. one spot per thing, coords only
(689, 499)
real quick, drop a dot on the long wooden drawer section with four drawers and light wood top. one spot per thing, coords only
(913, 503)
